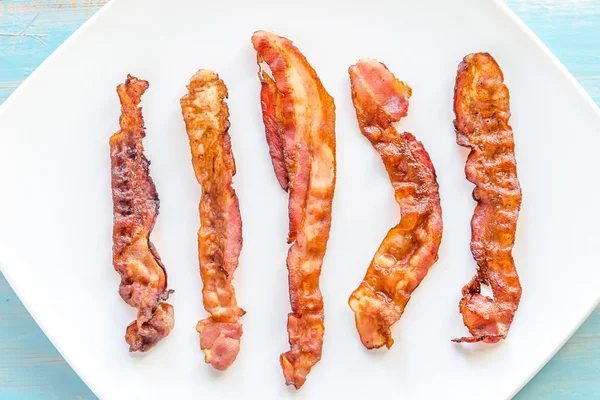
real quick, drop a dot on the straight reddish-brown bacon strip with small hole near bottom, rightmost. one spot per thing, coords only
(481, 105)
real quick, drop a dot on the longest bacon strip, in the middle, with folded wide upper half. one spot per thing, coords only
(299, 118)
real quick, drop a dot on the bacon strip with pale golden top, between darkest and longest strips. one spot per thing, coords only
(220, 236)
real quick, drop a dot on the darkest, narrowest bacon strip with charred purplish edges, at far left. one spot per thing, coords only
(135, 207)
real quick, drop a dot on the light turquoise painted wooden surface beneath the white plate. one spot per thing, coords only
(30, 367)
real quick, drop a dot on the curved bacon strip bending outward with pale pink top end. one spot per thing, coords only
(411, 247)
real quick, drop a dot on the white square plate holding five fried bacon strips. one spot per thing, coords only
(56, 211)
